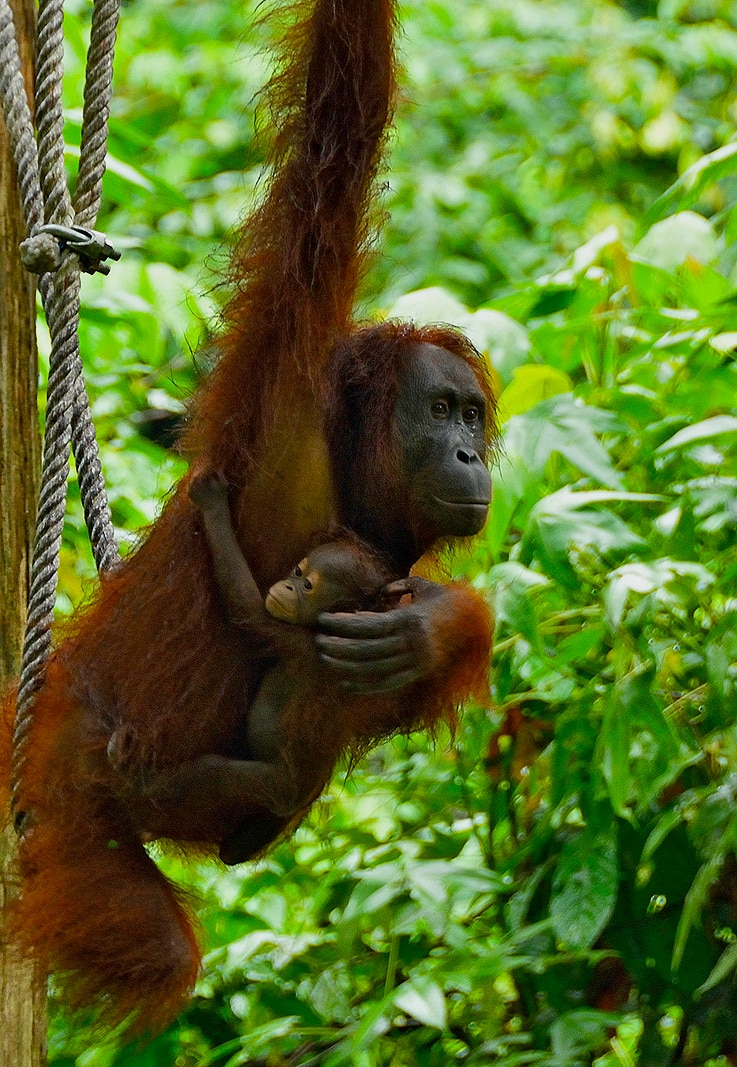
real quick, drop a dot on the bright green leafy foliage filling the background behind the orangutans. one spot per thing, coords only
(557, 886)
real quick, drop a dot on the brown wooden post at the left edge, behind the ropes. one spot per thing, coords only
(23, 996)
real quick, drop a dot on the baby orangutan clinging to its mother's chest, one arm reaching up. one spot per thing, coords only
(292, 739)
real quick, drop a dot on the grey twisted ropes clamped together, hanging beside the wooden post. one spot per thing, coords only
(46, 201)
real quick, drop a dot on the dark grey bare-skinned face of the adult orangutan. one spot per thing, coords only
(441, 424)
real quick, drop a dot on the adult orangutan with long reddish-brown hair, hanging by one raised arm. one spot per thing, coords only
(312, 422)
